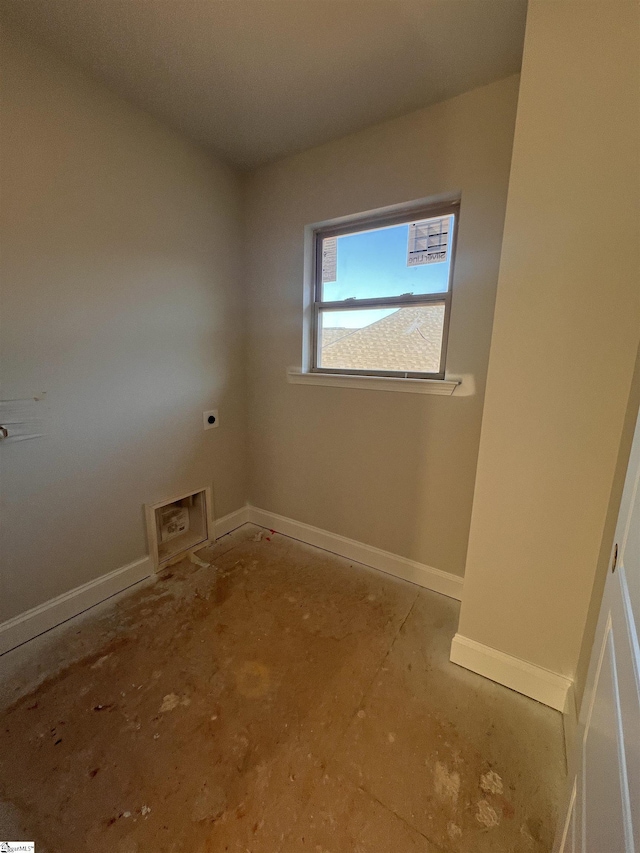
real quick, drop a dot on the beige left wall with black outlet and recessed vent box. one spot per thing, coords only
(121, 301)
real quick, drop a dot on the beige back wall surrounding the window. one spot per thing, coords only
(393, 470)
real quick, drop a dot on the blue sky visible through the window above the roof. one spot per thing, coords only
(374, 263)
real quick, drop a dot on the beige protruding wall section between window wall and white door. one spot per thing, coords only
(566, 333)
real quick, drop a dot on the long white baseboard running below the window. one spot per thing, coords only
(392, 564)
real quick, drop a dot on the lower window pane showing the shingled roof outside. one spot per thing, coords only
(404, 339)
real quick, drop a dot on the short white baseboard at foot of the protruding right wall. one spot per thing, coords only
(541, 684)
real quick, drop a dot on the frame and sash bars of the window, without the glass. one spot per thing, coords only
(366, 222)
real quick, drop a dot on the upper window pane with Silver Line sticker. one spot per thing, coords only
(414, 257)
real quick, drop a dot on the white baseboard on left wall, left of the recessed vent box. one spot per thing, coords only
(45, 616)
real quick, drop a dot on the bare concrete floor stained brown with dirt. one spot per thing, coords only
(282, 700)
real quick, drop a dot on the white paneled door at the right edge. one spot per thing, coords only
(604, 808)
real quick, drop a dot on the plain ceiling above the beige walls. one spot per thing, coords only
(258, 79)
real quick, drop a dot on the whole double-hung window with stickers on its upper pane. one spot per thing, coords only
(382, 294)
